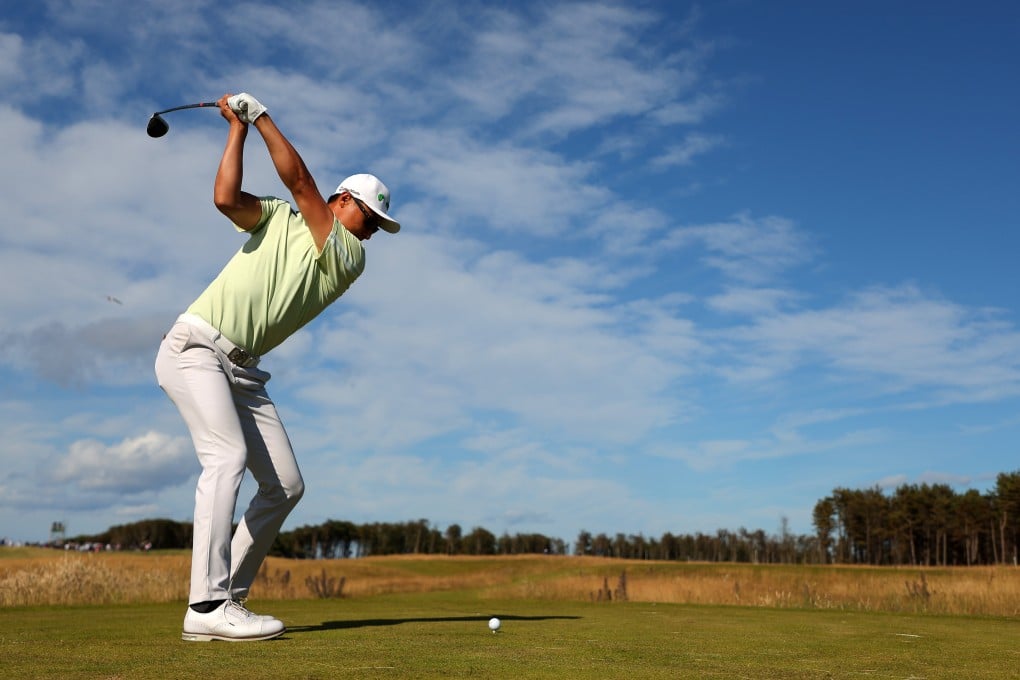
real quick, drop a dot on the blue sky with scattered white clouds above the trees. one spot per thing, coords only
(665, 267)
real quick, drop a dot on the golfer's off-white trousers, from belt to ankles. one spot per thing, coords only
(234, 426)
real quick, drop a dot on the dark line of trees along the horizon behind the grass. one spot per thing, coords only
(916, 525)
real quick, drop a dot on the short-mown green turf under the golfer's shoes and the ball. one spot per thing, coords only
(444, 635)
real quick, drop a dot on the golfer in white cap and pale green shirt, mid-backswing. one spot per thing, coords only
(296, 261)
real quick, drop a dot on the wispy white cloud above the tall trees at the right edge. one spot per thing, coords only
(900, 336)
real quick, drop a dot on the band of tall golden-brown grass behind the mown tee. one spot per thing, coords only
(45, 578)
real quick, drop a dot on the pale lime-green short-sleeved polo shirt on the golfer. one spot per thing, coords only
(279, 282)
